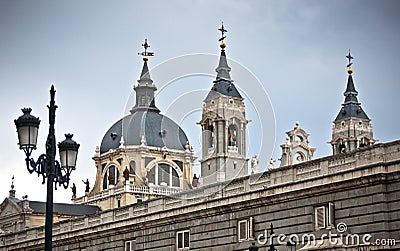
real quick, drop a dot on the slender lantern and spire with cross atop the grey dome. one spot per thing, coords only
(145, 87)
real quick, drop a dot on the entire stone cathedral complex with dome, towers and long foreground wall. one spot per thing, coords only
(147, 197)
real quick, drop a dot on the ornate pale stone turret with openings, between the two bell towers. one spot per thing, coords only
(297, 147)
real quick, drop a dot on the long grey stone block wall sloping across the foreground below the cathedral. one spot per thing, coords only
(363, 187)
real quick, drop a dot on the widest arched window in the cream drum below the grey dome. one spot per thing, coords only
(163, 174)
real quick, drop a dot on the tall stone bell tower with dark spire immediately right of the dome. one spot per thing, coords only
(223, 126)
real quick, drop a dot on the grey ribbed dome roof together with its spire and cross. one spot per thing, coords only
(145, 126)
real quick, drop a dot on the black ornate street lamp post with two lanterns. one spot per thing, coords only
(46, 165)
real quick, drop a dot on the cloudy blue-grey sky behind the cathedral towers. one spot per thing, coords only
(295, 50)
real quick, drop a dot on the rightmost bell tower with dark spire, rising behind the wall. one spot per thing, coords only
(352, 128)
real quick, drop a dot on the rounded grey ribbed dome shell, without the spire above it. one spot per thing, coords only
(158, 131)
